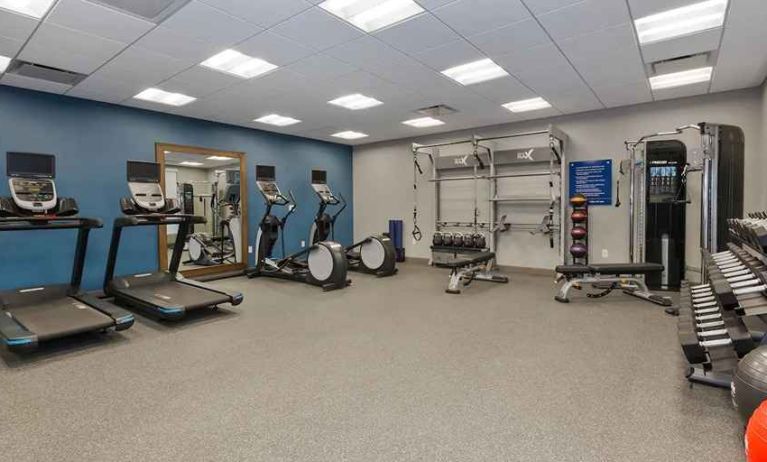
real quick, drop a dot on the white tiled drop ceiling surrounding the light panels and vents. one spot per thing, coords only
(579, 55)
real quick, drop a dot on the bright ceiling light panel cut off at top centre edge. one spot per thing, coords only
(371, 15)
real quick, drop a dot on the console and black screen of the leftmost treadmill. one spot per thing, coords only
(31, 181)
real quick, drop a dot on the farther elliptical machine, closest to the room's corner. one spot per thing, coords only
(374, 255)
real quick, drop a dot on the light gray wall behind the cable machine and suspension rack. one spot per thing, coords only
(383, 172)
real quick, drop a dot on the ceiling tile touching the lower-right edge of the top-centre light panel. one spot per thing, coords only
(418, 34)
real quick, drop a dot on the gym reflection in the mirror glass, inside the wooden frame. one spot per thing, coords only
(207, 186)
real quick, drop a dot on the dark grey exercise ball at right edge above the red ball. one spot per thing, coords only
(749, 383)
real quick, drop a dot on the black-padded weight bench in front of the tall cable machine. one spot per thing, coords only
(608, 277)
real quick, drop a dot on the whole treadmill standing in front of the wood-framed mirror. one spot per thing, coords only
(165, 294)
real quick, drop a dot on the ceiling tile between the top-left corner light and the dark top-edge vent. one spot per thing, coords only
(98, 20)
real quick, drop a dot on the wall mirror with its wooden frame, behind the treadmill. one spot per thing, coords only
(212, 184)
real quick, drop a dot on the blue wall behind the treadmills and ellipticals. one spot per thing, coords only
(92, 142)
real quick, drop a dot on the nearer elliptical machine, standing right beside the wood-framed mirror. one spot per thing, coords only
(325, 264)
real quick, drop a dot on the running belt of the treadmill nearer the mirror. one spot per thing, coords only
(174, 295)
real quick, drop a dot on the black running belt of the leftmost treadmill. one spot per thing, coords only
(59, 317)
